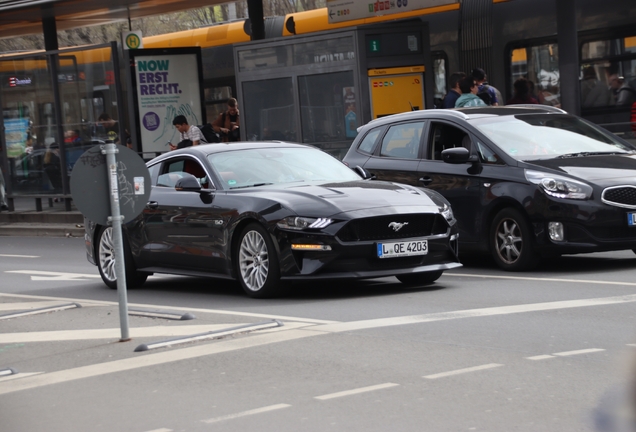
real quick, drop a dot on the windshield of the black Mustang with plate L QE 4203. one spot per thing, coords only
(264, 166)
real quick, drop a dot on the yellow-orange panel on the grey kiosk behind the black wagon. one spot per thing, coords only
(396, 90)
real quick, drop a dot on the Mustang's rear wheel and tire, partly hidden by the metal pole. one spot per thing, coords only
(105, 258)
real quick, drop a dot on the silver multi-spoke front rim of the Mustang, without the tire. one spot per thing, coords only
(254, 260)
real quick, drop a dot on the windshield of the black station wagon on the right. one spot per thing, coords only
(544, 136)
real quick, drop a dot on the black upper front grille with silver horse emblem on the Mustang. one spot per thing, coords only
(383, 227)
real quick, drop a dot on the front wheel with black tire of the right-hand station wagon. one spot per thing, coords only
(511, 241)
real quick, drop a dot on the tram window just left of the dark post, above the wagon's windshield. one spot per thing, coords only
(540, 65)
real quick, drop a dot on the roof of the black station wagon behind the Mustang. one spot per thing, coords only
(465, 113)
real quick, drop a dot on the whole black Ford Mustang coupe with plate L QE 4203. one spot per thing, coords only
(270, 212)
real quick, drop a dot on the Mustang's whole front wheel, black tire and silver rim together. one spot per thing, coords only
(256, 263)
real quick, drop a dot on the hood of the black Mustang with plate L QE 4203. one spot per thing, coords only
(330, 199)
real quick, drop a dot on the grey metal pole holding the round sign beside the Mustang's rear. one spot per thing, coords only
(120, 267)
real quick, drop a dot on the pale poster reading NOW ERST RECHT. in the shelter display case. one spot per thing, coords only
(167, 85)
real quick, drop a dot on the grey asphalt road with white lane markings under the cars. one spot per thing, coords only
(484, 350)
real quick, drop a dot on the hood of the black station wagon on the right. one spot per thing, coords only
(606, 170)
